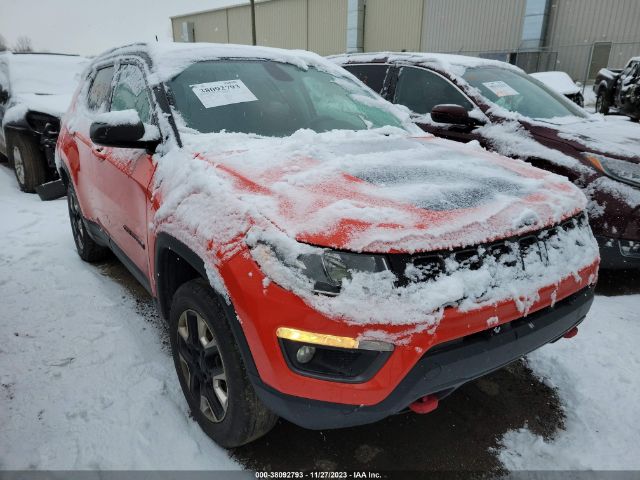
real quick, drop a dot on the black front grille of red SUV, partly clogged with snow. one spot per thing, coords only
(513, 252)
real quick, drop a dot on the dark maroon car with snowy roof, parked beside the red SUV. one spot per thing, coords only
(504, 109)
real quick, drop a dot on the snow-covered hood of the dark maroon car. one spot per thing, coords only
(617, 137)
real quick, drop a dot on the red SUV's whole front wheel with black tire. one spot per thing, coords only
(214, 371)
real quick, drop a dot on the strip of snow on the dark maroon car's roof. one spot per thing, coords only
(439, 61)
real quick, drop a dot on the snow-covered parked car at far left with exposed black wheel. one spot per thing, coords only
(35, 91)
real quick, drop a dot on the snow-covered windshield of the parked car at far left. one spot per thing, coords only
(45, 74)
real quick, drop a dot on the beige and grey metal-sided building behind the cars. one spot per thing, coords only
(577, 36)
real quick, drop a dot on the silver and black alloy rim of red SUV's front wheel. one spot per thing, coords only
(201, 365)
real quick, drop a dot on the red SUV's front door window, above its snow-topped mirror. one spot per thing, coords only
(131, 93)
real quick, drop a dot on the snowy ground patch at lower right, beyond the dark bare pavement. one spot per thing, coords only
(597, 375)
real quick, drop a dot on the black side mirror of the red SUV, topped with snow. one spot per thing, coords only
(122, 130)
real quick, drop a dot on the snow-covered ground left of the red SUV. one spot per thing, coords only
(86, 381)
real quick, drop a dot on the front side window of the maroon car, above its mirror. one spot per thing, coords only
(420, 90)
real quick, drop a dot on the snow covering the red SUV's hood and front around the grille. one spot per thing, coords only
(375, 191)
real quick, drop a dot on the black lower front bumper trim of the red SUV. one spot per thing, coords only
(442, 369)
